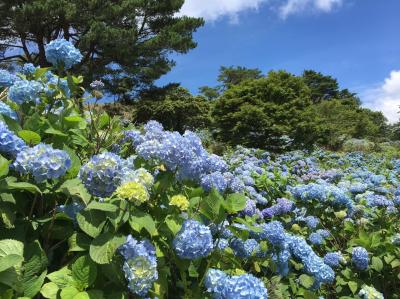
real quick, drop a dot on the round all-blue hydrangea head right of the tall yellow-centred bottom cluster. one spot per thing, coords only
(194, 240)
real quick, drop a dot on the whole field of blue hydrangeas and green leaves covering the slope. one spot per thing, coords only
(92, 207)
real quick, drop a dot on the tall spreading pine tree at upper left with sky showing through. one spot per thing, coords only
(126, 42)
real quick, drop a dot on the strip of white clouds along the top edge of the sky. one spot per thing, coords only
(212, 10)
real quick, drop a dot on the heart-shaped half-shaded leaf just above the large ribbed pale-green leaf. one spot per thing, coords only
(91, 222)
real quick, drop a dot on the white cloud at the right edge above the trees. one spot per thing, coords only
(385, 98)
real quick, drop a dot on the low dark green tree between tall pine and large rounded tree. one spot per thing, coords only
(178, 110)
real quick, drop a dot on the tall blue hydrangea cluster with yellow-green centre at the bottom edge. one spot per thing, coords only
(140, 265)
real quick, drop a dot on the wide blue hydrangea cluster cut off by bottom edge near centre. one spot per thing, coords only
(243, 286)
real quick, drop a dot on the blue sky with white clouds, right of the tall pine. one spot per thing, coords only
(356, 41)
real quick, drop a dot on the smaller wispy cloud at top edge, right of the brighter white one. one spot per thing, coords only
(291, 7)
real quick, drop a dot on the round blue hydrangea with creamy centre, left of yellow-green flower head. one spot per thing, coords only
(102, 174)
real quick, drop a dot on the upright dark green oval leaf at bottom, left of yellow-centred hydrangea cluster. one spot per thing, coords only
(84, 272)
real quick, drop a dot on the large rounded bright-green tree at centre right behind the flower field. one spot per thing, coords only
(261, 112)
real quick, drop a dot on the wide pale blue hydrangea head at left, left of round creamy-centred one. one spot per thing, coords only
(43, 162)
